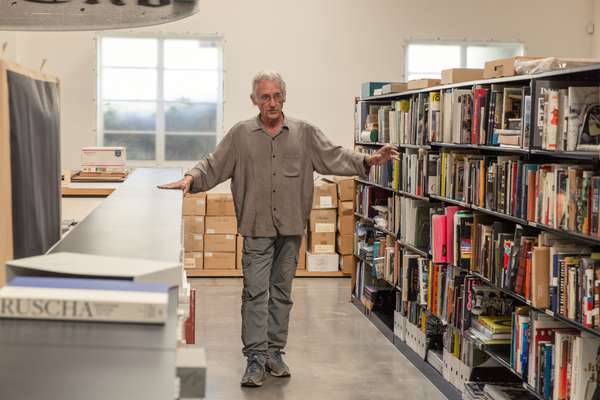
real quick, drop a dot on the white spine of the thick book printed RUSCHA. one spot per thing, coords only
(83, 304)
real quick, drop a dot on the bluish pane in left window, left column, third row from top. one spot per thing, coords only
(132, 116)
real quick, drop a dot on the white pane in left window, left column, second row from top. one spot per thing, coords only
(128, 84)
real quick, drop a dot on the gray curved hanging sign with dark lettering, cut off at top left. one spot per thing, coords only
(69, 15)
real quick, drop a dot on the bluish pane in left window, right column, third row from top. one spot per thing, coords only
(191, 117)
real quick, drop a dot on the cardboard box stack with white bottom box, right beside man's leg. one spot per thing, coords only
(321, 255)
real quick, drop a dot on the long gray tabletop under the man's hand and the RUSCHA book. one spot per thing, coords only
(75, 361)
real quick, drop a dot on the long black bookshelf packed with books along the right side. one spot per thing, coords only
(478, 247)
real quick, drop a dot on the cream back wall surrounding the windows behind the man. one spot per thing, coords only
(323, 48)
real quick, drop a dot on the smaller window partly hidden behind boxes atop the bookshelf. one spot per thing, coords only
(428, 59)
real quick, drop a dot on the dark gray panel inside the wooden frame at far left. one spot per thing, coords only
(35, 163)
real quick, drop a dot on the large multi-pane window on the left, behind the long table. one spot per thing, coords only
(160, 97)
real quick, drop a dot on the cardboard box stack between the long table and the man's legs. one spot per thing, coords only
(210, 232)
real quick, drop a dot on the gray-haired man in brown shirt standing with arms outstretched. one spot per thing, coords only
(270, 160)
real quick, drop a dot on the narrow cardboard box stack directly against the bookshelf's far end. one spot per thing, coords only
(346, 223)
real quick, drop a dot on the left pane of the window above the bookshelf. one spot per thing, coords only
(432, 58)
